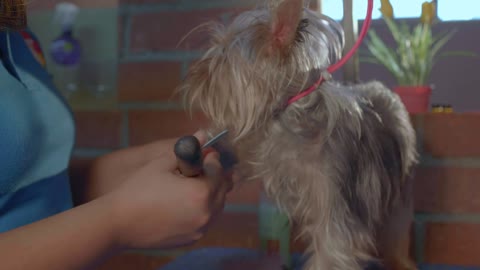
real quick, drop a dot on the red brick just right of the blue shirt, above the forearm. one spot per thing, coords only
(96, 129)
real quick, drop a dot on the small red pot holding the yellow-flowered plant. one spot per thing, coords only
(415, 98)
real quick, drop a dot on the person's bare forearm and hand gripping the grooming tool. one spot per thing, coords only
(153, 207)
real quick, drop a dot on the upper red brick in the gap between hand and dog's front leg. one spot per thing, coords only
(245, 193)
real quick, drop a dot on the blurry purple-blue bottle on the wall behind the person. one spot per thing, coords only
(66, 49)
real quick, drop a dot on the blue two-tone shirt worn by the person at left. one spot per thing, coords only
(36, 138)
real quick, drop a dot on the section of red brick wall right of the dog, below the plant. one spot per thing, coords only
(447, 190)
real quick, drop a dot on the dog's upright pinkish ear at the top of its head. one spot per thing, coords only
(285, 20)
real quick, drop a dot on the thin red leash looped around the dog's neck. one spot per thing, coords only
(342, 62)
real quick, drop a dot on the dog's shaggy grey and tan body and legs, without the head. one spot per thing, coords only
(340, 163)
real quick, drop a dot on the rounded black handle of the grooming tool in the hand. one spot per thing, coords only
(189, 156)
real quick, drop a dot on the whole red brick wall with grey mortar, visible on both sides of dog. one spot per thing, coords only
(447, 226)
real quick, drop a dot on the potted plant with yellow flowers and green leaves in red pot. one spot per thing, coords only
(412, 60)
